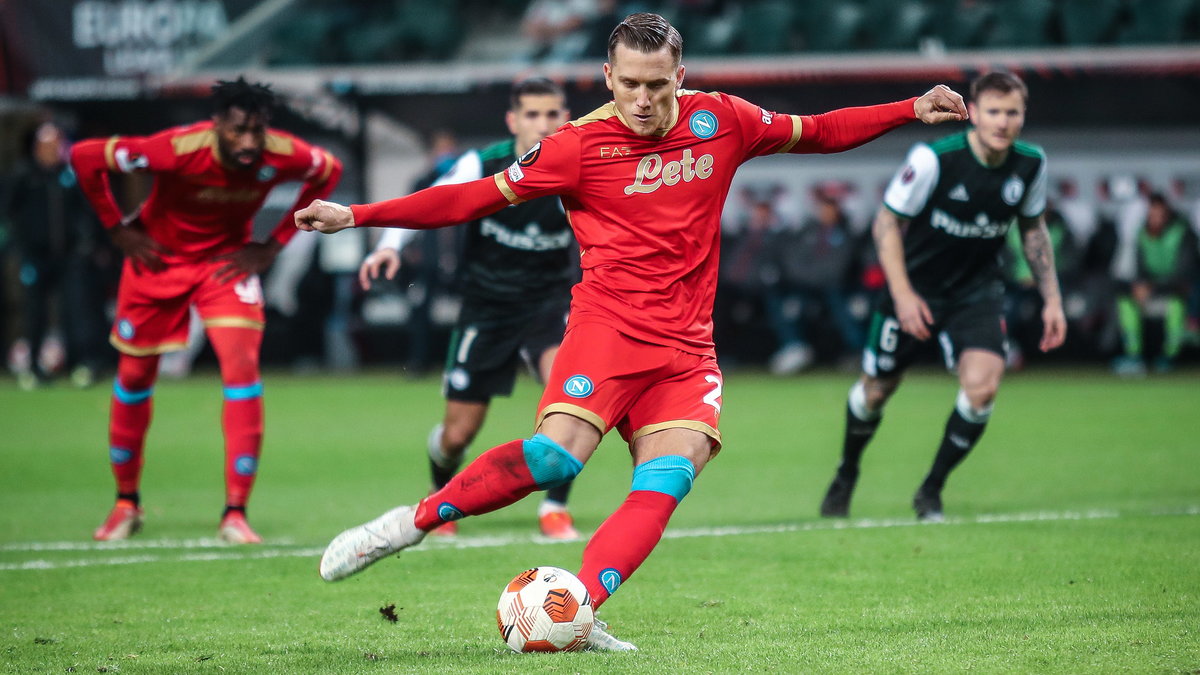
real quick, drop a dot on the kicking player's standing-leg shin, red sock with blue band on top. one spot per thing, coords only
(632, 533)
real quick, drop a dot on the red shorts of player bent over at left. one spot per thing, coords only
(153, 308)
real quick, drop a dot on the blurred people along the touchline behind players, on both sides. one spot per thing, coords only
(799, 280)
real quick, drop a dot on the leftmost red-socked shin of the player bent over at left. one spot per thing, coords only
(129, 420)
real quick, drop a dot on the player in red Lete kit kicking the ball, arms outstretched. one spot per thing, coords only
(644, 181)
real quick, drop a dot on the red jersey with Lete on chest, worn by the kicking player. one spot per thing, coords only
(646, 210)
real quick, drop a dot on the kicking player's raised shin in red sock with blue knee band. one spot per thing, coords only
(497, 479)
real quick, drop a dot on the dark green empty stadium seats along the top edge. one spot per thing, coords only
(332, 32)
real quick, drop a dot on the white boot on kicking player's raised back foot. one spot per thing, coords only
(359, 547)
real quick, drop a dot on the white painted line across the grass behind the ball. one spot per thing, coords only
(265, 553)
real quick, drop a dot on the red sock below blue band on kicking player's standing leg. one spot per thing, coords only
(625, 541)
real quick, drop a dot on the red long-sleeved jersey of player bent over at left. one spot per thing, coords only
(199, 207)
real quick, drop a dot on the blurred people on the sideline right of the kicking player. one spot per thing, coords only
(800, 277)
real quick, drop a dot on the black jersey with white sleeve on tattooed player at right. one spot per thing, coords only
(961, 212)
